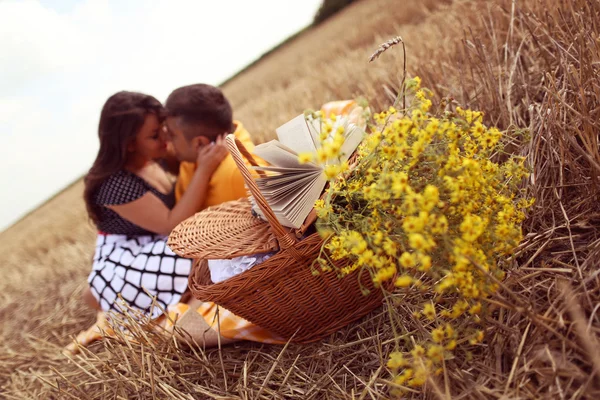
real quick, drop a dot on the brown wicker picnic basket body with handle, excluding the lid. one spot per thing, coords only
(282, 294)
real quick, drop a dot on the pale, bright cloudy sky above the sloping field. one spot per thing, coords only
(61, 59)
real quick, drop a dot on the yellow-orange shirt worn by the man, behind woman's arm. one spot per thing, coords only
(226, 183)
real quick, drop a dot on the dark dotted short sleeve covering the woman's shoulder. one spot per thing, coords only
(120, 188)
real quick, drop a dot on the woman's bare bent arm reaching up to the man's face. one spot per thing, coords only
(150, 213)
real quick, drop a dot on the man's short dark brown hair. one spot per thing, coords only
(201, 105)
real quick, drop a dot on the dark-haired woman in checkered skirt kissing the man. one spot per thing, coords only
(130, 198)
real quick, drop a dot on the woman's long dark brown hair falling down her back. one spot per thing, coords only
(121, 119)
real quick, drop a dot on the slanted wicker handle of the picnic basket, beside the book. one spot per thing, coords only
(236, 149)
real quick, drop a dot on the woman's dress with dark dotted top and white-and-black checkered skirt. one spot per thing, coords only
(131, 261)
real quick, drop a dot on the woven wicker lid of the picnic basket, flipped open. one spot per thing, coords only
(224, 231)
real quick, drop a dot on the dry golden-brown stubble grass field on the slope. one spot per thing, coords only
(529, 64)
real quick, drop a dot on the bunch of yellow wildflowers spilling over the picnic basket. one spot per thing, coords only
(427, 208)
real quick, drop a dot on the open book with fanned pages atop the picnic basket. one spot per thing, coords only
(290, 187)
